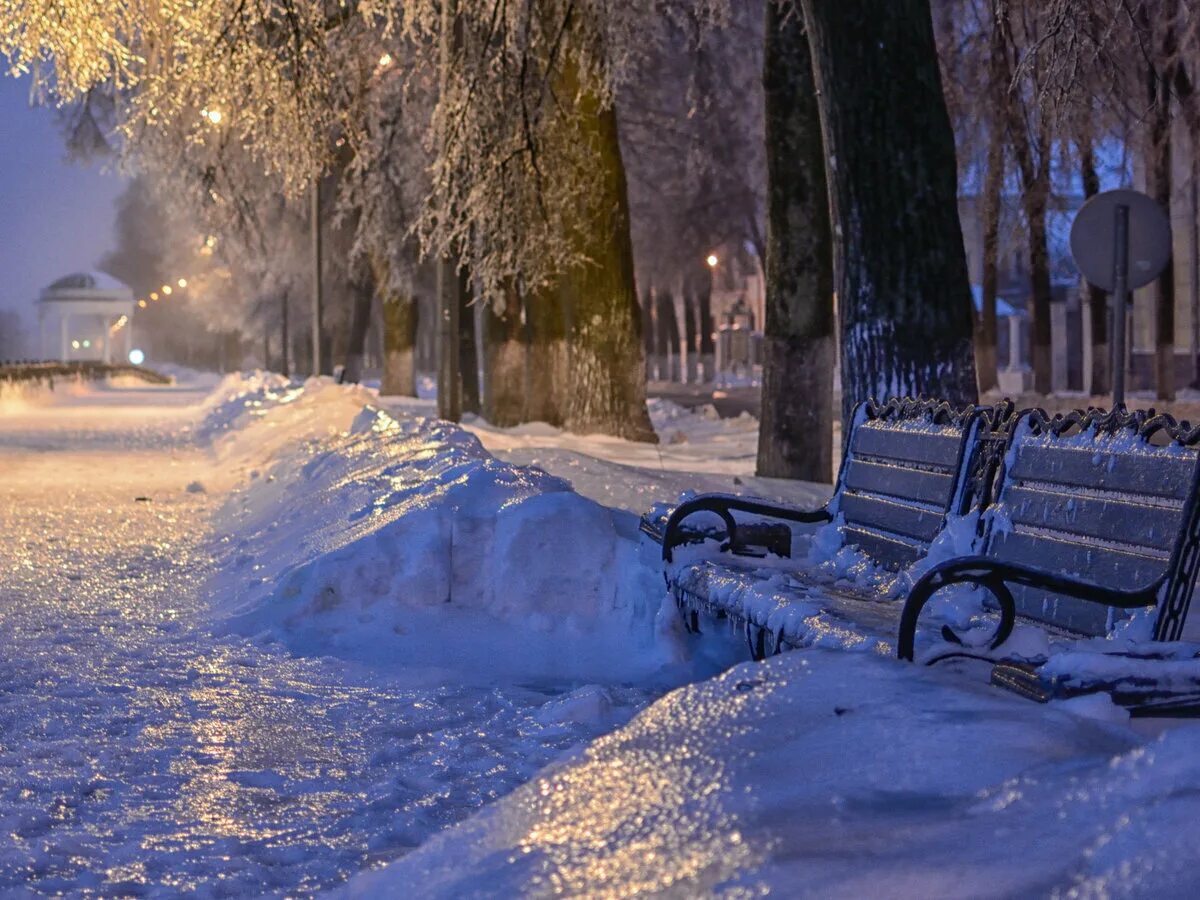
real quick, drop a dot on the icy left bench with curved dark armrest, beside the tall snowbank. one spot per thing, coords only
(909, 467)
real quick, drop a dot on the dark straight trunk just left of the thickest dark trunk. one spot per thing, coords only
(796, 433)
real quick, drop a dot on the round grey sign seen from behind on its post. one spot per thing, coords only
(1121, 242)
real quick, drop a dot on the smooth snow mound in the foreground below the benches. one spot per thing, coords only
(831, 775)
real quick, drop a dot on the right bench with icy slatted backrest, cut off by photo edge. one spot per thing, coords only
(1096, 517)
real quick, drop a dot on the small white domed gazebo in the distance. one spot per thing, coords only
(86, 316)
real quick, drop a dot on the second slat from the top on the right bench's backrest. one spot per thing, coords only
(1112, 520)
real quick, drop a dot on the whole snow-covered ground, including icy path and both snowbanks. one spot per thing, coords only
(265, 639)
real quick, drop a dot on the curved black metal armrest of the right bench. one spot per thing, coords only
(995, 577)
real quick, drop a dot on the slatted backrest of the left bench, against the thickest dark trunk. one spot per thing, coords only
(908, 465)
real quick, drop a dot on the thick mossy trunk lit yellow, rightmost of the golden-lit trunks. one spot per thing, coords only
(607, 388)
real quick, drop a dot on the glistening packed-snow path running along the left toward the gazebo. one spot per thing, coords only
(142, 754)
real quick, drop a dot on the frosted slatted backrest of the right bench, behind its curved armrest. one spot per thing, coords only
(1103, 497)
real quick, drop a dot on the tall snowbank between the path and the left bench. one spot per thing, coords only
(405, 542)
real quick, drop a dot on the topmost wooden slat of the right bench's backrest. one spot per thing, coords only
(1151, 471)
